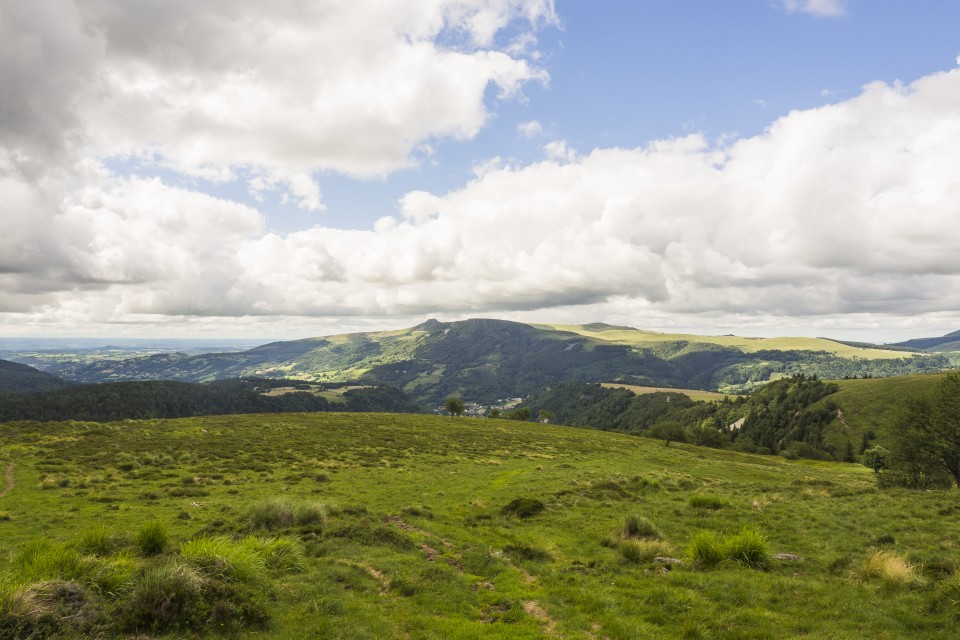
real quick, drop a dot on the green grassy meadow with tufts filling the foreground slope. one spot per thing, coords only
(413, 526)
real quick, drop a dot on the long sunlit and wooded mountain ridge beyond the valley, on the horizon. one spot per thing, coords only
(486, 360)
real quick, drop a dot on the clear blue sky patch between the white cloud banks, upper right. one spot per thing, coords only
(623, 73)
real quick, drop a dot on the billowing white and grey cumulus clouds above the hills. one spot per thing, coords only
(849, 208)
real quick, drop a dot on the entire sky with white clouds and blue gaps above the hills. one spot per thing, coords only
(239, 169)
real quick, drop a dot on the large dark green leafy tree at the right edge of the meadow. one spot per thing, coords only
(926, 449)
